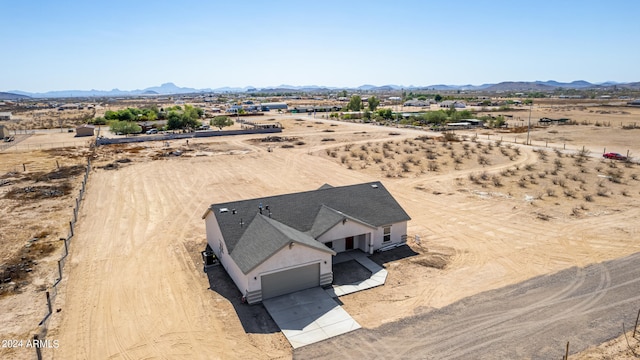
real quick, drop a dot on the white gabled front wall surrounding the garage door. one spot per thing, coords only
(288, 258)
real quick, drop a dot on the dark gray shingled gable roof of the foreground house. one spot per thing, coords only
(251, 237)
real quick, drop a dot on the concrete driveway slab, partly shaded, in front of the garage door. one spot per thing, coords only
(308, 316)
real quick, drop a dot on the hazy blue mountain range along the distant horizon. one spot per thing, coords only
(171, 89)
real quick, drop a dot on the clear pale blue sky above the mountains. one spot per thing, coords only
(82, 45)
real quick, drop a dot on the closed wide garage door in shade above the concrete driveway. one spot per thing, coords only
(287, 281)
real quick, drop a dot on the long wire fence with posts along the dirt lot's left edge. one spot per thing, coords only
(41, 333)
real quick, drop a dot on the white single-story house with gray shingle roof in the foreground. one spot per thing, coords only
(281, 244)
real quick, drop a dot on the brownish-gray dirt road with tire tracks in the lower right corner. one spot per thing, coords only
(531, 320)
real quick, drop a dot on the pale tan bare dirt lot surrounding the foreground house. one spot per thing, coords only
(489, 214)
